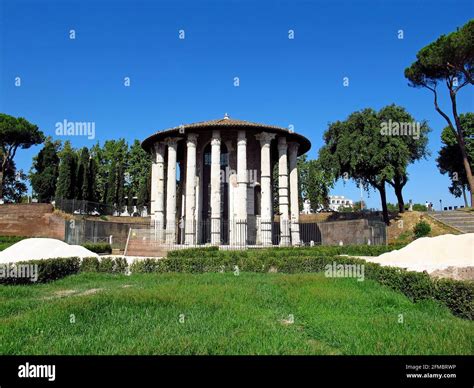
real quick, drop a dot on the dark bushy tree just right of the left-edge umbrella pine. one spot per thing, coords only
(45, 170)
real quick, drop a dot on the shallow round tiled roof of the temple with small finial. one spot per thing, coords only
(226, 123)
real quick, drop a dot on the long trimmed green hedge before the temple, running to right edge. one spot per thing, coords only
(458, 296)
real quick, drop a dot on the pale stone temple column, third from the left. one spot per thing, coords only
(189, 218)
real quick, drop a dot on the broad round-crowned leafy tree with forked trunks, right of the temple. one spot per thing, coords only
(361, 148)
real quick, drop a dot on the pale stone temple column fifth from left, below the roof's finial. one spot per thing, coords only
(242, 183)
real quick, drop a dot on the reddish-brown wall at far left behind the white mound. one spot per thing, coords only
(30, 220)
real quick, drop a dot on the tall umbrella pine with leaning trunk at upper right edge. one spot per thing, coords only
(449, 61)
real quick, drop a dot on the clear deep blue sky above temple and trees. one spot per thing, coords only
(283, 82)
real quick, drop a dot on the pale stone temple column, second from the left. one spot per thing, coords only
(172, 144)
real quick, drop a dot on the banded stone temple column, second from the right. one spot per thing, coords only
(283, 191)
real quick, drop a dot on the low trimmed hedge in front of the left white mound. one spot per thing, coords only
(48, 270)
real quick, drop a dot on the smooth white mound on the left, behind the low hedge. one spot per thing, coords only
(42, 248)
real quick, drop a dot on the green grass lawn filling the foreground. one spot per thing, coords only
(218, 313)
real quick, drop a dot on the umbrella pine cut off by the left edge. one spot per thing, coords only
(15, 133)
